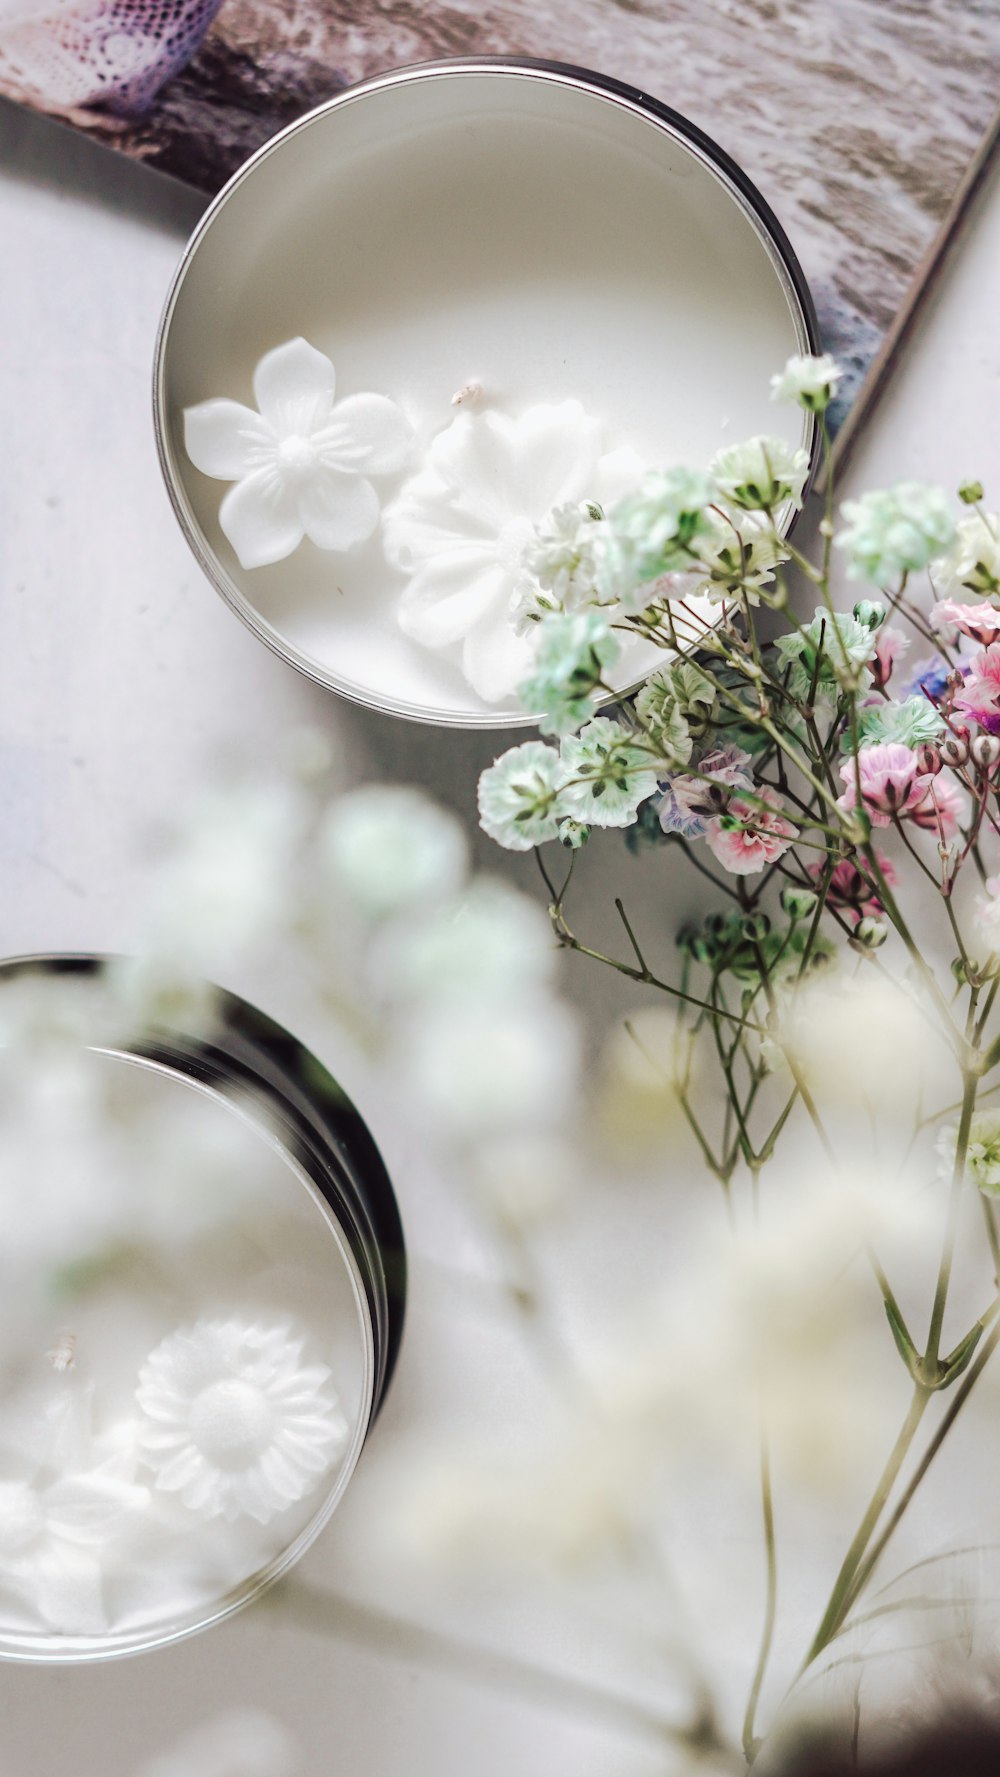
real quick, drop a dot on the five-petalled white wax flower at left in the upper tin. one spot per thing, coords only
(301, 465)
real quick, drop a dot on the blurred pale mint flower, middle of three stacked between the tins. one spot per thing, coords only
(491, 943)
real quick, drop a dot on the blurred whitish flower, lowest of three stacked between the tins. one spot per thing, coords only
(486, 1069)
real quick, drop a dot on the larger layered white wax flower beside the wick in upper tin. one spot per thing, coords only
(459, 529)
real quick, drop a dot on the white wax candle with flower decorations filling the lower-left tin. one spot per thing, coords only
(186, 1359)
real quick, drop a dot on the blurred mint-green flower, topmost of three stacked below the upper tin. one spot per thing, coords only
(392, 850)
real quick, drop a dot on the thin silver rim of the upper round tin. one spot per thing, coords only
(681, 131)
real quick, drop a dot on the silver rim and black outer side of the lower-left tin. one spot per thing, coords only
(253, 1065)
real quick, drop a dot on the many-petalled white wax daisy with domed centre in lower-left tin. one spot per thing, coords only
(237, 1422)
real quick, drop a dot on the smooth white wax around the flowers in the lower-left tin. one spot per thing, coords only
(155, 1204)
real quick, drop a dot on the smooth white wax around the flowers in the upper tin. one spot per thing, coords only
(493, 228)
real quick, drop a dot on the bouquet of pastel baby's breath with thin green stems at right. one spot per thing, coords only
(834, 779)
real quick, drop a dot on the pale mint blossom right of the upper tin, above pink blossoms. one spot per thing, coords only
(894, 532)
